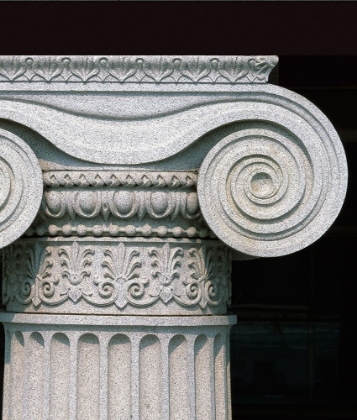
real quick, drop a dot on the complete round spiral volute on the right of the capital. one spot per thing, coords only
(267, 191)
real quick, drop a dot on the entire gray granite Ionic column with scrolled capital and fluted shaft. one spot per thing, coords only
(128, 185)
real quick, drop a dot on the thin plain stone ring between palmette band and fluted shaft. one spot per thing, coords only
(135, 320)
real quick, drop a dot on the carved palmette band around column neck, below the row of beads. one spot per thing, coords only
(112, 276)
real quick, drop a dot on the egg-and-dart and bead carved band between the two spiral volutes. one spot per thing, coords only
(106, 203)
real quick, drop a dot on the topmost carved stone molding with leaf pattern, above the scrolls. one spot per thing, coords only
(137, 69)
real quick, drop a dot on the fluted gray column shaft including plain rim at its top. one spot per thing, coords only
(73, 367)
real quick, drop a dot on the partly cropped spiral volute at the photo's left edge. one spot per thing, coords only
(20, 187)
